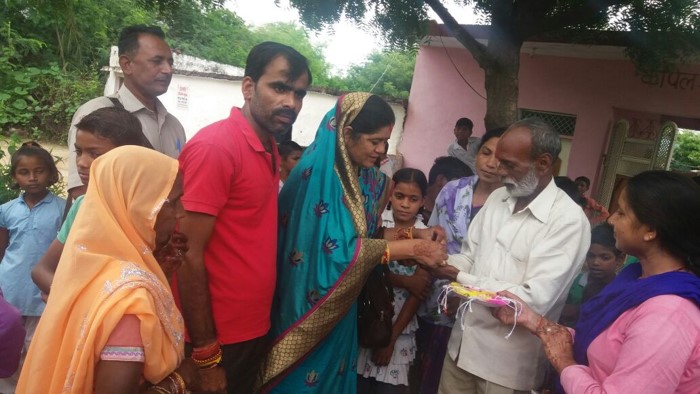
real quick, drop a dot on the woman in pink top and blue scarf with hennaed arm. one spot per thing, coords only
(641, 334)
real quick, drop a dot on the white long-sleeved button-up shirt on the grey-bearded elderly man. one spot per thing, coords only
(534, 253)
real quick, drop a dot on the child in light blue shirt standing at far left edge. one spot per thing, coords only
(28, 224)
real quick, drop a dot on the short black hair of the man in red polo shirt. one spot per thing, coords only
(264, 53)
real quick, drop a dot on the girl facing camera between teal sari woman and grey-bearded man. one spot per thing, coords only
(385, 370)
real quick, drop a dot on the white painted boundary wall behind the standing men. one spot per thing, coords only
(199, 101)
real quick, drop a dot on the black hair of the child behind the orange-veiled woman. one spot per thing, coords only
(117, 125)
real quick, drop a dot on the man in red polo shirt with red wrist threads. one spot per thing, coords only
(231, 177)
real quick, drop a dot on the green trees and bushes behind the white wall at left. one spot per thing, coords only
(51, 52)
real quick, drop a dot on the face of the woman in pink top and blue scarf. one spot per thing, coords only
(630, 233)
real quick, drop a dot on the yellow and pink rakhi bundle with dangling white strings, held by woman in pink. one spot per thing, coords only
(473, 294)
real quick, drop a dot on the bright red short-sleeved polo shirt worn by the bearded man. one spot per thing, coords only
(228, 174)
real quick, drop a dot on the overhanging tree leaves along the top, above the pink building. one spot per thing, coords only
(662, 32)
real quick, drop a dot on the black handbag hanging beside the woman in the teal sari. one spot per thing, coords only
(375, 309)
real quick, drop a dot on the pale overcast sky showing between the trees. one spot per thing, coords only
(347, 44)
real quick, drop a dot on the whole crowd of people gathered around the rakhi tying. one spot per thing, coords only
(233, 264)
